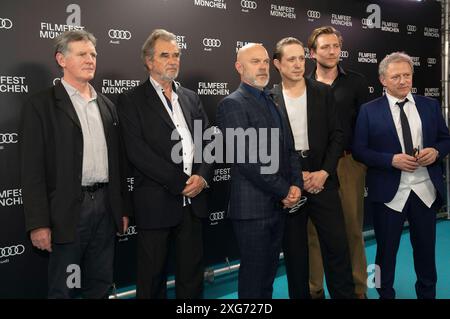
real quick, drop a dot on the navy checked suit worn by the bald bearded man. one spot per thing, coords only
(255, 198)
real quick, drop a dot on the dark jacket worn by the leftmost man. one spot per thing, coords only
(51, 146)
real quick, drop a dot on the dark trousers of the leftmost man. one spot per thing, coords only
(86, 265)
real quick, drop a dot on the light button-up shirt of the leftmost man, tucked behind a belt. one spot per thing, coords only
(95, 151)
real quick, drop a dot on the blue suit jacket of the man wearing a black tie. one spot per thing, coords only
(376, 142)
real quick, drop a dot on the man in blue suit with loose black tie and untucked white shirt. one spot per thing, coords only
(402, 138)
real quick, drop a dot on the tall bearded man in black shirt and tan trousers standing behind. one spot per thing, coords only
(350, 91)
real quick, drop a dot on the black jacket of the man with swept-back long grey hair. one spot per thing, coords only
(147, 129)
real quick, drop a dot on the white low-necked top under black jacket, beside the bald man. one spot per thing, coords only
(298, 119)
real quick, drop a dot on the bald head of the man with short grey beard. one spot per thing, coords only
(252, 63)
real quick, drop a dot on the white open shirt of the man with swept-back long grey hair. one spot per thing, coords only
(176, 114)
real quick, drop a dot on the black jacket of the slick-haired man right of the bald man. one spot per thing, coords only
(325, 134)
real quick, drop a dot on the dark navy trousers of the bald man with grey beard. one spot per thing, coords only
(259, 243)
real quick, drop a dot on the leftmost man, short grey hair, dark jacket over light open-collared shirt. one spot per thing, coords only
(72, 173)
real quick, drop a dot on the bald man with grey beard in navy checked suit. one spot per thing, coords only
(259, 193)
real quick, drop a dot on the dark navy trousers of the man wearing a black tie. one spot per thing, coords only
(388, 227)
